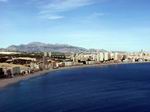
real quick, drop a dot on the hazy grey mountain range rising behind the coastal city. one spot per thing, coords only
(44, 47)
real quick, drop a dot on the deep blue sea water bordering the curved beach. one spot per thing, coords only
(117, 88)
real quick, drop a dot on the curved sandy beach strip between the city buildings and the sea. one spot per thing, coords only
(6, 82)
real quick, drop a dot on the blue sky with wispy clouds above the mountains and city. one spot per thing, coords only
(101, 24)
